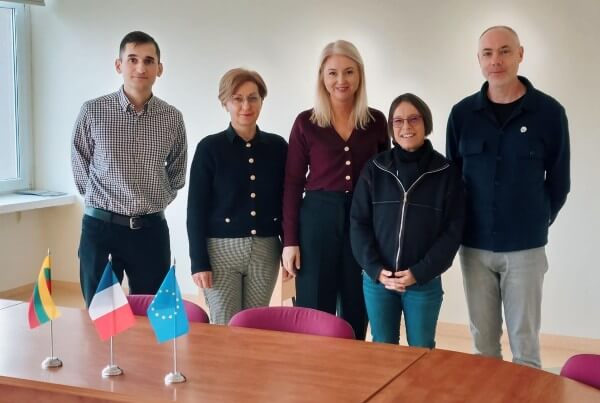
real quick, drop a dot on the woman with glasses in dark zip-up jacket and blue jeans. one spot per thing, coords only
(407, 220)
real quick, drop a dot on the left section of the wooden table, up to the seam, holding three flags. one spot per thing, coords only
(220, 363)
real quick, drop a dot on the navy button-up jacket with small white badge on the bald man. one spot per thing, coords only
(517, 175)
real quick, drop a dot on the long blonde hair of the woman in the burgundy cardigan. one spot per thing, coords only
(322, 114)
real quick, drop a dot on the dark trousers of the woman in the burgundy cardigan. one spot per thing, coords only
(329, 278)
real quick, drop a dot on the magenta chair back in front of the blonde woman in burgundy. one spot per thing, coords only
(295, 320)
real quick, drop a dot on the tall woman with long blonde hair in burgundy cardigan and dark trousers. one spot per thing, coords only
(331, 143)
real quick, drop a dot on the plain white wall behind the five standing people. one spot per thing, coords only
(426, 47)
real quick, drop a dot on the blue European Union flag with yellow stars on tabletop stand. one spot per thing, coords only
(166, 312)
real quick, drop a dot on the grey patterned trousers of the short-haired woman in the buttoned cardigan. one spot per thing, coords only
(244, 274)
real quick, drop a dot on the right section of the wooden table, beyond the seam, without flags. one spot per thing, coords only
(449, 376)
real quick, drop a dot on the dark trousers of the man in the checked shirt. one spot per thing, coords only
(144, 254)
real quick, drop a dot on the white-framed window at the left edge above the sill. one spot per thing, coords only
(15, 105)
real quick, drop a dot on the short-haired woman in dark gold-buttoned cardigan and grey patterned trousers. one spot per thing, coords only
(234, 203)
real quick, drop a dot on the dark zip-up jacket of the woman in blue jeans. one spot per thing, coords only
(419, 228)
